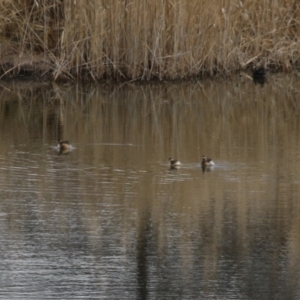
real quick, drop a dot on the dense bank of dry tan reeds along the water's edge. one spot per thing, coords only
(142, 40)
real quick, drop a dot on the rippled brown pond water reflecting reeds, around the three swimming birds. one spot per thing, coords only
(111, 220)
